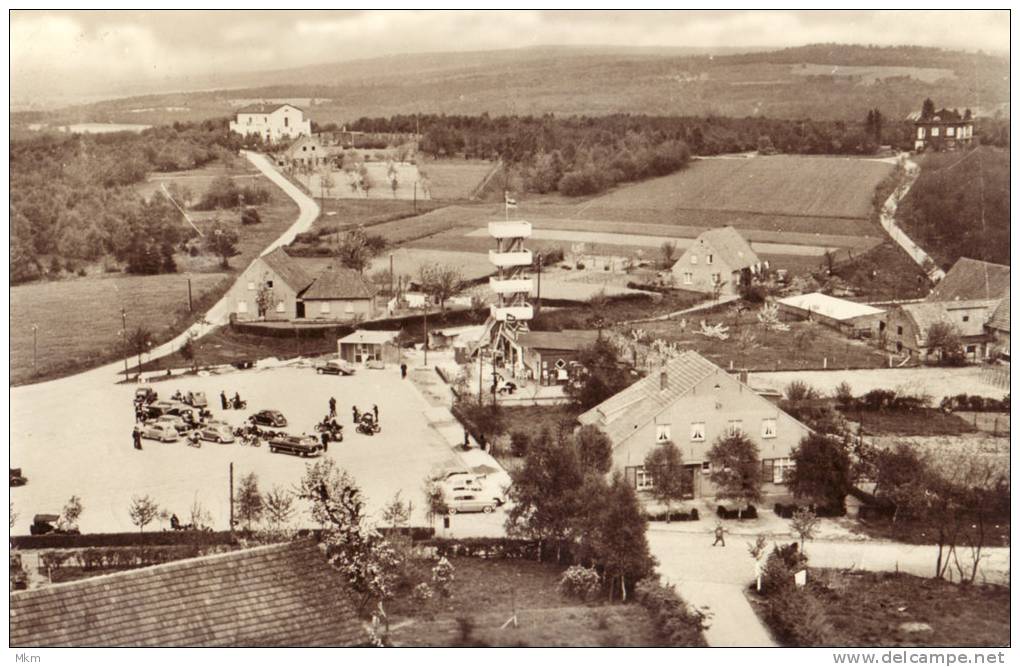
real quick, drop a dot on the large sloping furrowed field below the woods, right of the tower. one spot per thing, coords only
(782, 185)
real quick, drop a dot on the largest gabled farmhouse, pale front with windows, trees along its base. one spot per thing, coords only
(693, 403)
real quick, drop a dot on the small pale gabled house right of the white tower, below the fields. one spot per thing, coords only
(720, 261)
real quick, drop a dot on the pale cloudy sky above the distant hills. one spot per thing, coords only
(57, 55)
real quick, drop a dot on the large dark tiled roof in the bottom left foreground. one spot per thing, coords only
(282, 595)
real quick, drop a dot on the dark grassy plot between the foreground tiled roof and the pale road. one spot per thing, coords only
(488, 592)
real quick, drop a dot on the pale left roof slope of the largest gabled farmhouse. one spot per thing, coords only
(623, 415)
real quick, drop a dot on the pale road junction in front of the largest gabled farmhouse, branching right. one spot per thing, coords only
(716, 578)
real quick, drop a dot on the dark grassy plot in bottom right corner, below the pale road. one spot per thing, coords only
(871, 608)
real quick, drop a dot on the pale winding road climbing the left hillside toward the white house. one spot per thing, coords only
(221, 313)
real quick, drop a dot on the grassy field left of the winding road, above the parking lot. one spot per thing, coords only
(79, 320)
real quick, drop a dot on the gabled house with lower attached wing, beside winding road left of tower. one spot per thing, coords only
(290, 293)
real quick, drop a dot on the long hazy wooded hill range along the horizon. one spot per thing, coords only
(820, 82)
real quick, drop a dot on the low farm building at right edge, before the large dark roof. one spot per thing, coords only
(905, 329)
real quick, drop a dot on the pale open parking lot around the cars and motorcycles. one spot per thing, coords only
(74, 437)
